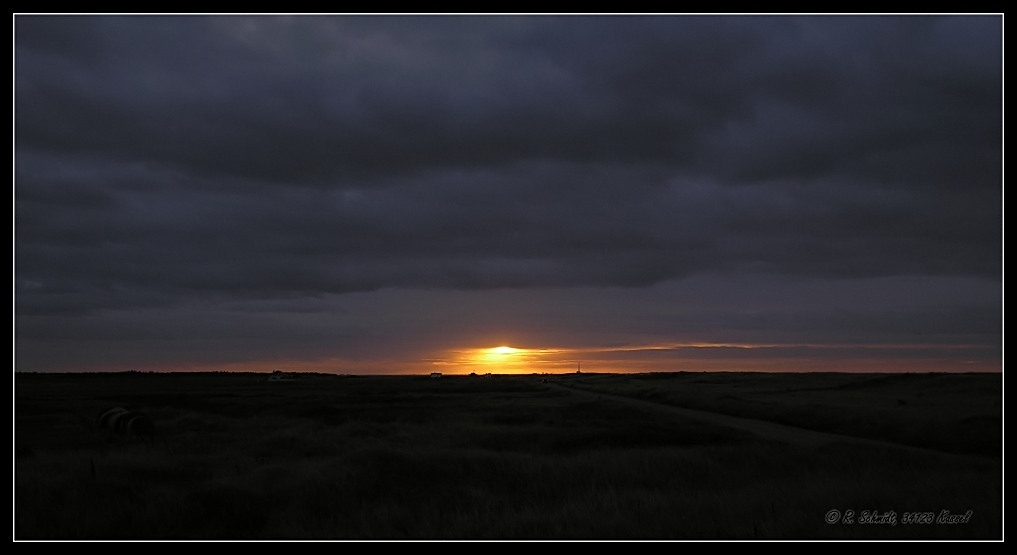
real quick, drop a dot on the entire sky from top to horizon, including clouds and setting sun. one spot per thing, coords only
(508, 194)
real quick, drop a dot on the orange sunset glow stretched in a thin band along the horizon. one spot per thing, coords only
(650, 357)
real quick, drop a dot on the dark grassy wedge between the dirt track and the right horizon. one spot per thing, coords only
(956, 413)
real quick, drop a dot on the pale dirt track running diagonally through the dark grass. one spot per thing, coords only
(760, 428)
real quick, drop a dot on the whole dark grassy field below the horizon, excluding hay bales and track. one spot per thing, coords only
(505, 458)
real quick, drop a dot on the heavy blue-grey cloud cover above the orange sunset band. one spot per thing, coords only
(169, 160)
